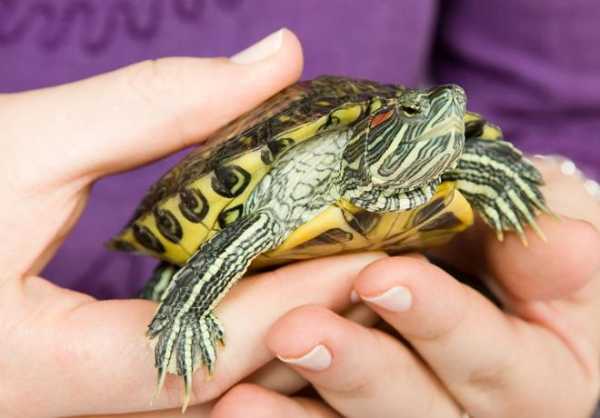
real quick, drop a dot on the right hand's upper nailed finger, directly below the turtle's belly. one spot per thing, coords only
(482, 356)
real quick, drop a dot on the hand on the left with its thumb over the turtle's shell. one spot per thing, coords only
(64, 353)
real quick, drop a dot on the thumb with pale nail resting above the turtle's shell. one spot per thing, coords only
(139, 113)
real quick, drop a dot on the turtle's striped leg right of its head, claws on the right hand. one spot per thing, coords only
(501, 185)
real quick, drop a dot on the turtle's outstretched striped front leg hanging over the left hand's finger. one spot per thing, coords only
(185, 327)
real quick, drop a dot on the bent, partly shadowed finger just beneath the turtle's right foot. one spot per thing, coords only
(542, 270)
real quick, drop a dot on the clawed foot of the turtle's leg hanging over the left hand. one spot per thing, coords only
(182, 345)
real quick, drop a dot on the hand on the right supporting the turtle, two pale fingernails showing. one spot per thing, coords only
(538, 356)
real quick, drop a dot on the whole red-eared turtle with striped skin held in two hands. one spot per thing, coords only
(325, 166)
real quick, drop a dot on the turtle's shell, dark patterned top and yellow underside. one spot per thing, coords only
(207, 189)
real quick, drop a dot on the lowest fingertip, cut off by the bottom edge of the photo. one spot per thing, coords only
(253, 401)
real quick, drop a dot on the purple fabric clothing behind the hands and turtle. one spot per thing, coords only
(530, 66)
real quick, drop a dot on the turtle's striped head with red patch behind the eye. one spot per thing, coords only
(396, 155)
